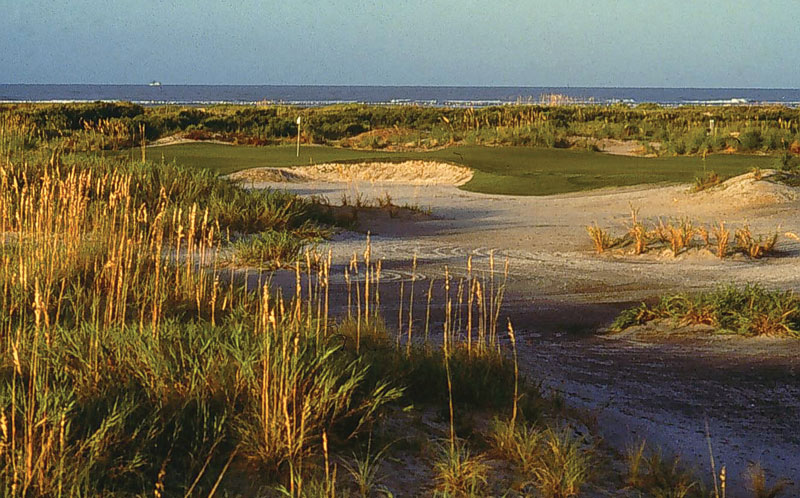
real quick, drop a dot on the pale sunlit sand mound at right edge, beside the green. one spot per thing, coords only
(747, 189)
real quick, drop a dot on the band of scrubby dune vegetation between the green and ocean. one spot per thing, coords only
(682, 130)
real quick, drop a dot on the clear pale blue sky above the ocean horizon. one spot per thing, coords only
(610, 43)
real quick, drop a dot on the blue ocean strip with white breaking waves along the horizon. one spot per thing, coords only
(451, 96)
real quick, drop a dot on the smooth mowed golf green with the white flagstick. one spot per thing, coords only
(498, 170)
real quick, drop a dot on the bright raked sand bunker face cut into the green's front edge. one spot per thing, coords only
(406, 172)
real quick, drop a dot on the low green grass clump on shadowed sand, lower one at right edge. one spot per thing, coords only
(748, 311)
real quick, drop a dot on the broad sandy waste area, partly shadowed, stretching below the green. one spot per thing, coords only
(560, 293)
